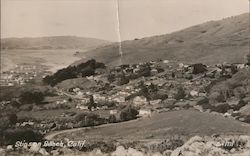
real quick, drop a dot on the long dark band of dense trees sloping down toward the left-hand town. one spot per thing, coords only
(84, 69)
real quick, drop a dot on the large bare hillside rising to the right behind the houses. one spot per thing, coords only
(220, 41)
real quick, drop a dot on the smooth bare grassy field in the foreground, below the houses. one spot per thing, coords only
(160, 126)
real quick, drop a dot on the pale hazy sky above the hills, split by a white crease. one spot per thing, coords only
(97, 18)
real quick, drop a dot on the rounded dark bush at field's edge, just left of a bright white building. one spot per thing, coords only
(128, 113)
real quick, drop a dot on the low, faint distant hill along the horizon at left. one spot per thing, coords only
(54, 42)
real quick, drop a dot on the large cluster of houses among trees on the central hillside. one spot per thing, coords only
(165, 75)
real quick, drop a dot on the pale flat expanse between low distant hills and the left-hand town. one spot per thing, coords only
(51, 59)
